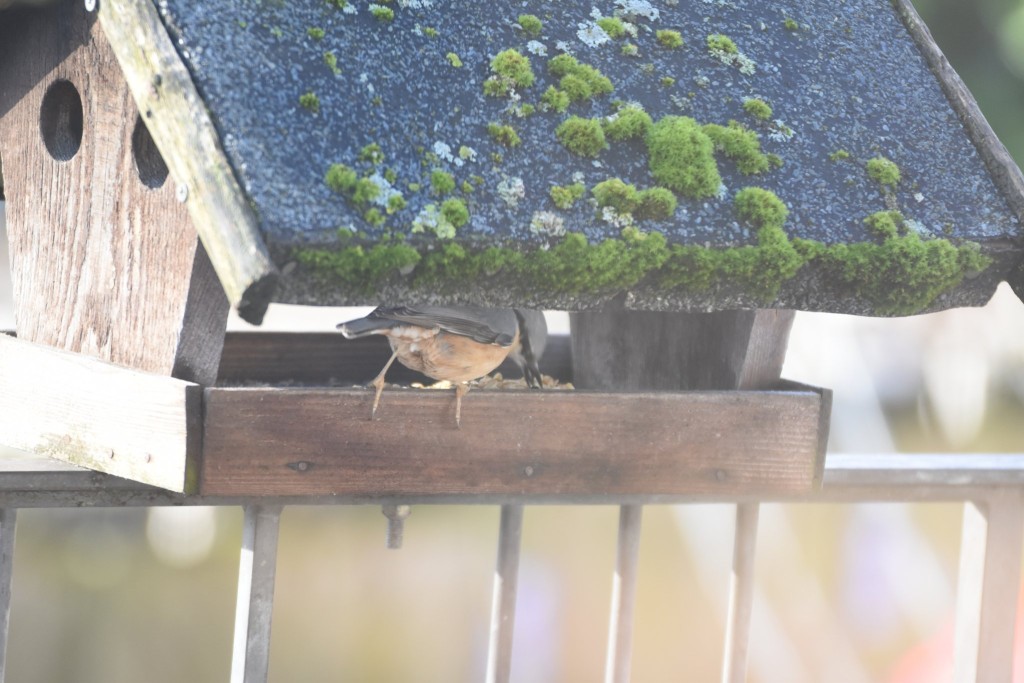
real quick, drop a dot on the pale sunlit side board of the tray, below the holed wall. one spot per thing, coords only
(82, 411)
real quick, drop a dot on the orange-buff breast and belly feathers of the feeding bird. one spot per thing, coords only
(445, 356)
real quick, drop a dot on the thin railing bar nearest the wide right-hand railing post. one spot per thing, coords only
(738, 627)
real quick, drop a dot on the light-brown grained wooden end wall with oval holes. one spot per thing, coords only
(102, 264)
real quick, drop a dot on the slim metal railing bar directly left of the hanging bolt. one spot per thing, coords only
(253, 612)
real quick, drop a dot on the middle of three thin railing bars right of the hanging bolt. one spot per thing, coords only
(624, 591)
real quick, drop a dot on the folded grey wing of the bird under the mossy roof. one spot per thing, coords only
(488, 326)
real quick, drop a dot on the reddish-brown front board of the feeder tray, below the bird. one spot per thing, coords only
(570, 445)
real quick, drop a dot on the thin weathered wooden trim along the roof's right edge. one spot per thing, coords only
(1006, 175)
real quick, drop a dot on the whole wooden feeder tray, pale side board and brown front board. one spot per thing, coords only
(296, 442)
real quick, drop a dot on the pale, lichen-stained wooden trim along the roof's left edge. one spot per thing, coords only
(179, 122)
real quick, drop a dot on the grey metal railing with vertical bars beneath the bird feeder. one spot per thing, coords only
(991, 486)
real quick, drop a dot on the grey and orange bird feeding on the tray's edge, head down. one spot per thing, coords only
(455, 344)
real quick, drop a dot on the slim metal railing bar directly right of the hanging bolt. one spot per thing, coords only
(504, 596)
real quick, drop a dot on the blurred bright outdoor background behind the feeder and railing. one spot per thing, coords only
(856, 593)
